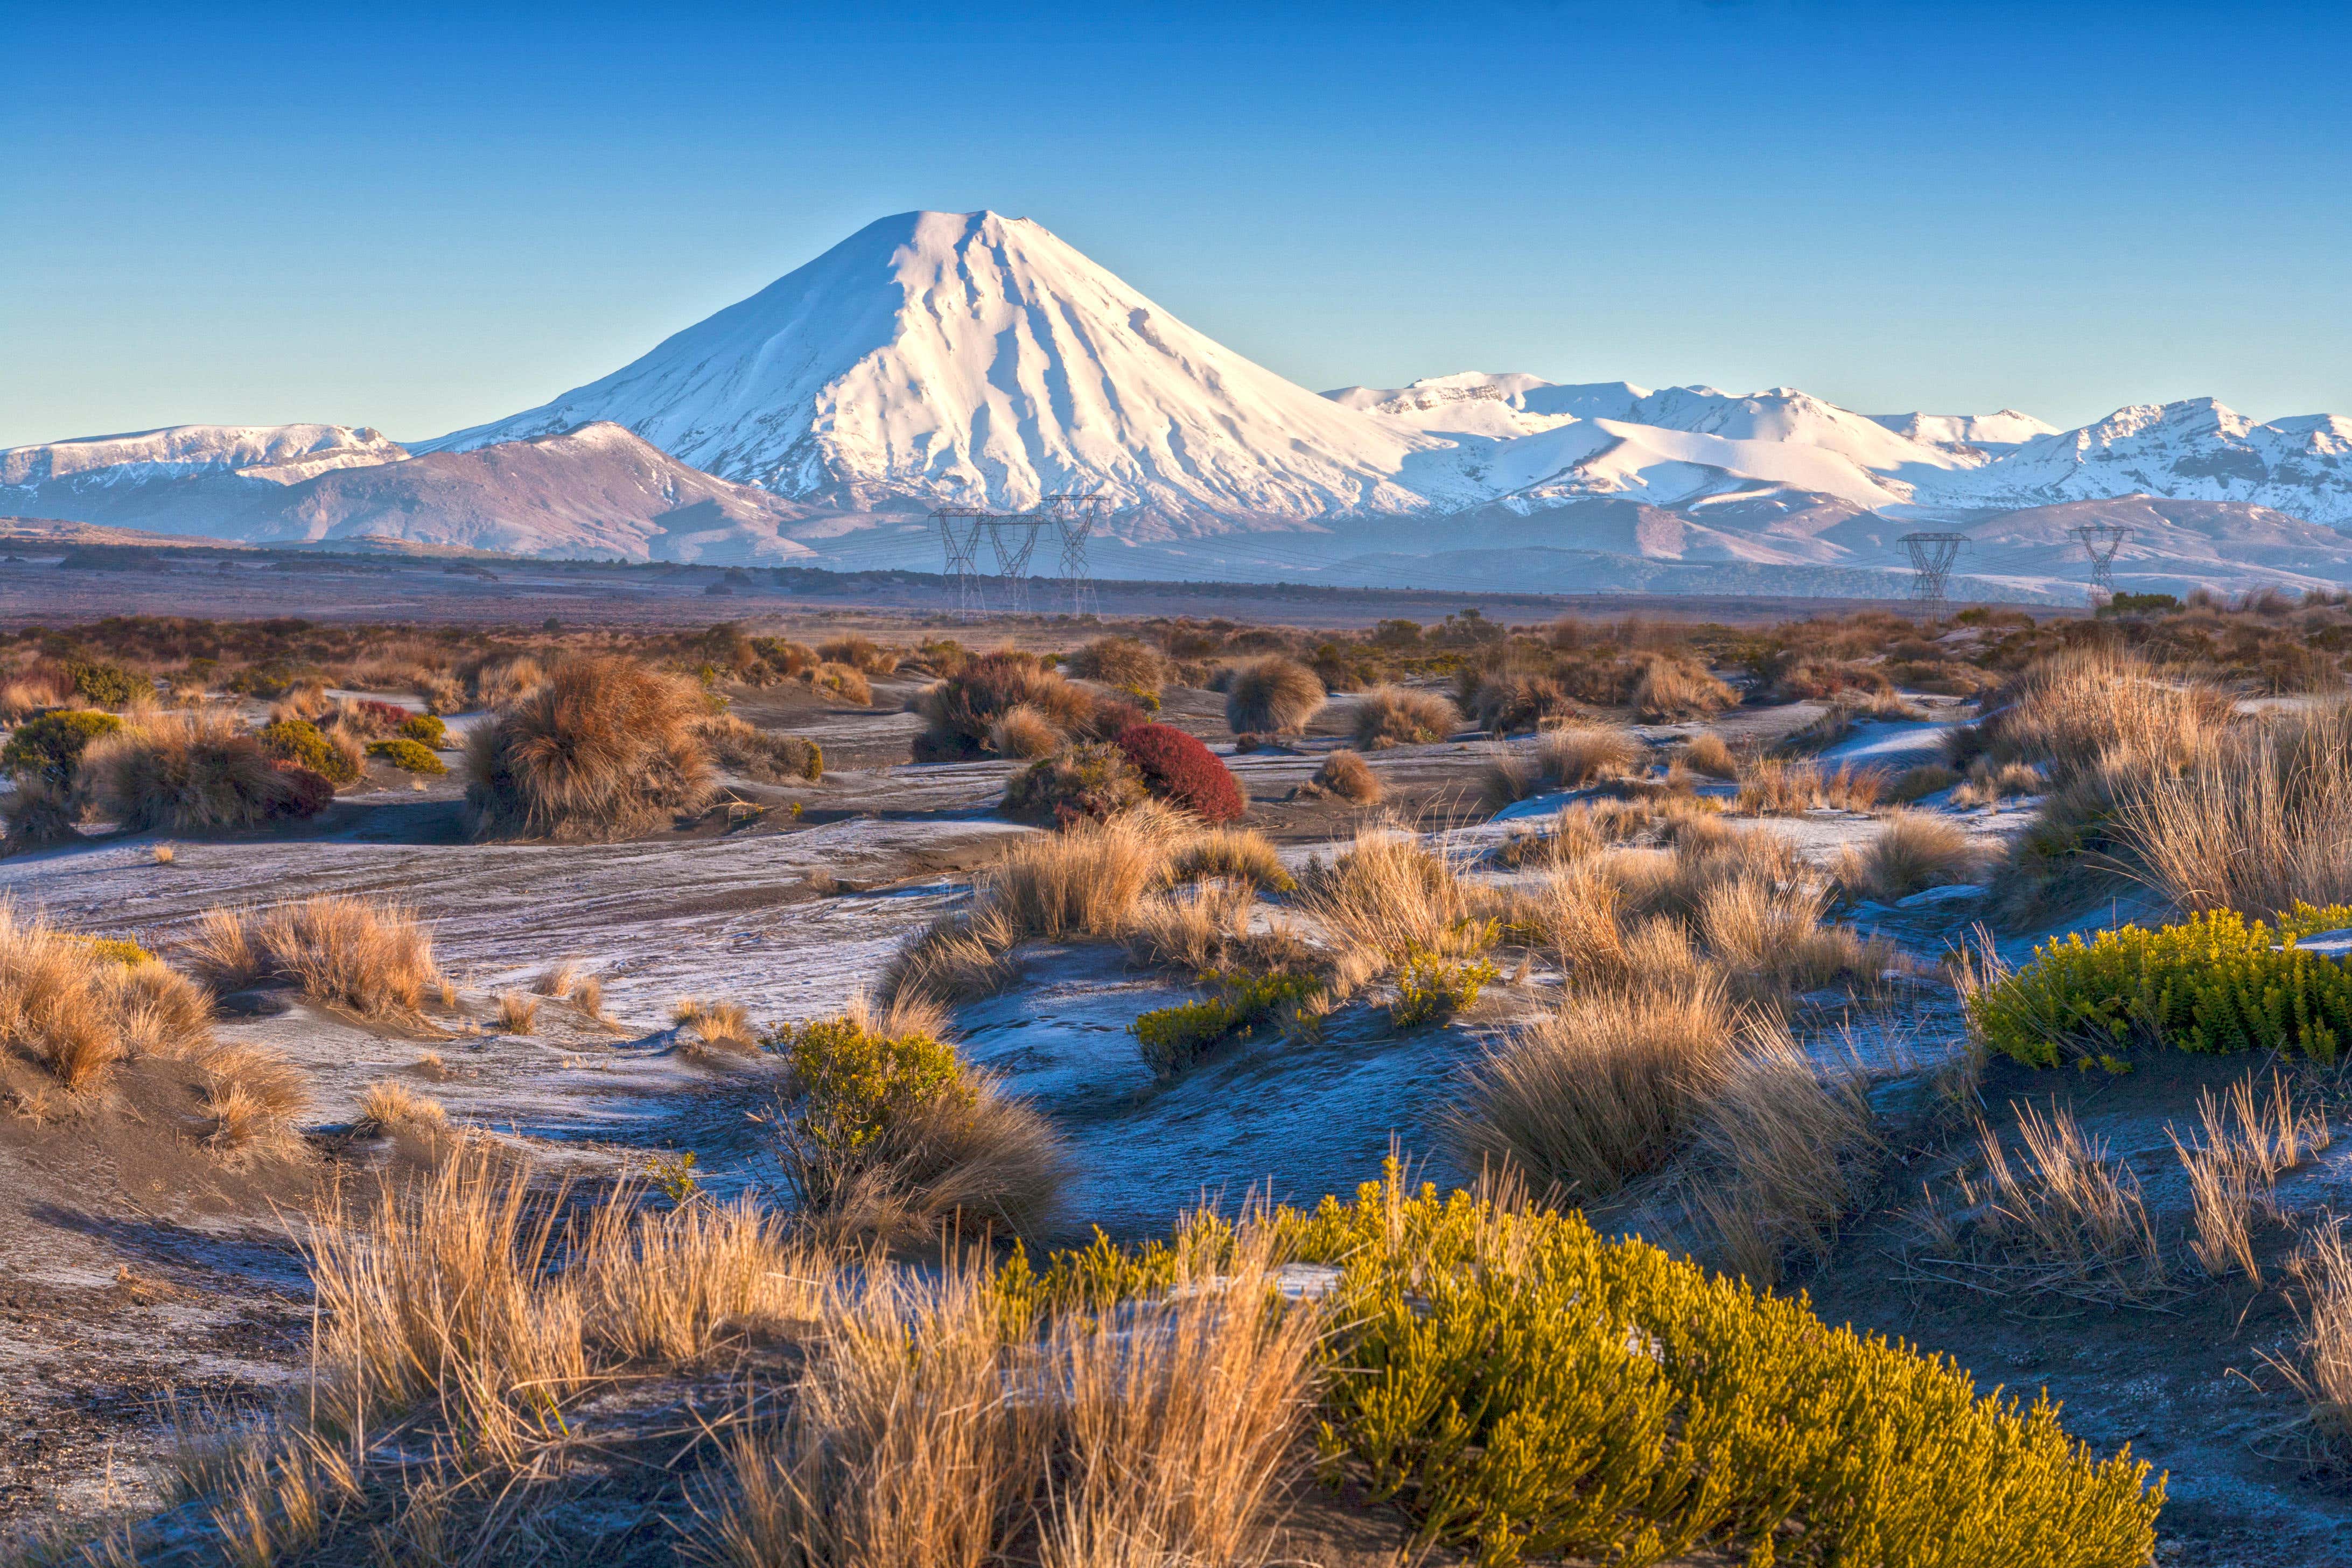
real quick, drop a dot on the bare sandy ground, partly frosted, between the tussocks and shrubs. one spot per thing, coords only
(131, 1273)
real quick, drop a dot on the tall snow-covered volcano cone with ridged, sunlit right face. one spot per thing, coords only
(973, 359)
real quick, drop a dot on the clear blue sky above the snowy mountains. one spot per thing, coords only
(425, 217)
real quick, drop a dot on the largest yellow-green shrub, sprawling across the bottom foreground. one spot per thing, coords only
(1525, 1388)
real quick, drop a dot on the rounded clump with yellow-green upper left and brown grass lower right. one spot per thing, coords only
(893, 1134)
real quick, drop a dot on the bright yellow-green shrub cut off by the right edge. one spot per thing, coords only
(2207, 984)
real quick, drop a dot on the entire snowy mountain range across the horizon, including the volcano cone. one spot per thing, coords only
(980, 361)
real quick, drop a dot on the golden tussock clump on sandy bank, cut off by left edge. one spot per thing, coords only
(76, 1007)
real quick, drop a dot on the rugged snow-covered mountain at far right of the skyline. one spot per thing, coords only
(2193, 450)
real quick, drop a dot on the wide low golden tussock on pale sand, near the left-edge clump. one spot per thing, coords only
(340, 951)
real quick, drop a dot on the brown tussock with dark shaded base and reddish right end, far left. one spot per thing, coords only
(192, 772)
